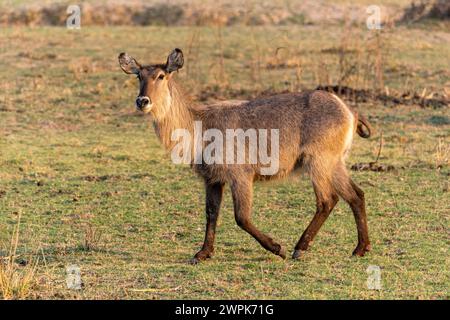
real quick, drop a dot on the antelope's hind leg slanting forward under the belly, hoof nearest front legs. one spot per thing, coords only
(326, 200)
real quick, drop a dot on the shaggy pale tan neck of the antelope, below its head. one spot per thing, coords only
(178, 115)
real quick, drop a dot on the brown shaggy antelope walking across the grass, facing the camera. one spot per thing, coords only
(316, 129)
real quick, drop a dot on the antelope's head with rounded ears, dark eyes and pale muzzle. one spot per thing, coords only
(154, 81)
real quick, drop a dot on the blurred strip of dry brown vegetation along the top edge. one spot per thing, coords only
(197, 12)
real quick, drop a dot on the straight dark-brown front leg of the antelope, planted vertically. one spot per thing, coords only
(214, 194)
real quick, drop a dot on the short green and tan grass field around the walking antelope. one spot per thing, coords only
(95, 189)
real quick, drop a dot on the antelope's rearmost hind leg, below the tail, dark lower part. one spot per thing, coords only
(354, 196)
